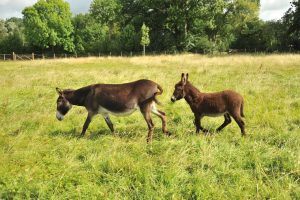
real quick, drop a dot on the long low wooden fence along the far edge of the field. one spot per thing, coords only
(35, 56)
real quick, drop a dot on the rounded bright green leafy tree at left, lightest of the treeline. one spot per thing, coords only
(48, 24)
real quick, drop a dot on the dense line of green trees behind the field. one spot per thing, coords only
(173, 25)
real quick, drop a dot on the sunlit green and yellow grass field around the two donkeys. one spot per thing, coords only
(41, 157)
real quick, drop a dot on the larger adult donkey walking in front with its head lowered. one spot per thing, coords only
(116, 99)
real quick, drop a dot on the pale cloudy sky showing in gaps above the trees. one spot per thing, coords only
(270, 9)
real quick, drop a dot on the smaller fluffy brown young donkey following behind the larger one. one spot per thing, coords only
(227, 103)
